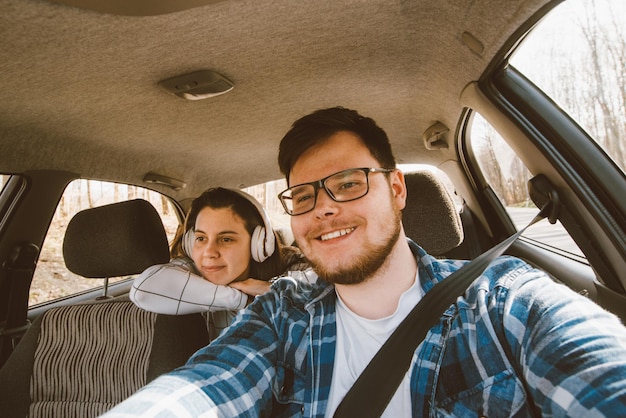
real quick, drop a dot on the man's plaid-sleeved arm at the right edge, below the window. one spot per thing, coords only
(572, 353)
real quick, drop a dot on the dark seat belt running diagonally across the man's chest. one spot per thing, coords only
(377, 384)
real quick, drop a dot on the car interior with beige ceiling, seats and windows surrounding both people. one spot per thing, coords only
(115, 115)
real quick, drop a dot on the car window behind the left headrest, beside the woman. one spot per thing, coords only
(52, 280)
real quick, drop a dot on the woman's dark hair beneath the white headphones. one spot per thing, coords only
(221, 198)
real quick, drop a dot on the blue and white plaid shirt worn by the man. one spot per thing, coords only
(516, 341)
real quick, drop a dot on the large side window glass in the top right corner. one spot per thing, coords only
(576, 55)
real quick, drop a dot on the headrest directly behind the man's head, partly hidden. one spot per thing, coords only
(430, 217)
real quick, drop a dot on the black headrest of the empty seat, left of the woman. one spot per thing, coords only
(119, 239)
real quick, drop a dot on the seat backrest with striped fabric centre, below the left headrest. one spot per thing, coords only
(105, 351)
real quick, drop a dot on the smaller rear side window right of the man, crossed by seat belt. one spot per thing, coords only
(508, 177)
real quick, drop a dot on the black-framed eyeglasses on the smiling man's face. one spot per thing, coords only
(344, 186)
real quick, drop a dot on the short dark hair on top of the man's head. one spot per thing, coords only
(314, 128)
